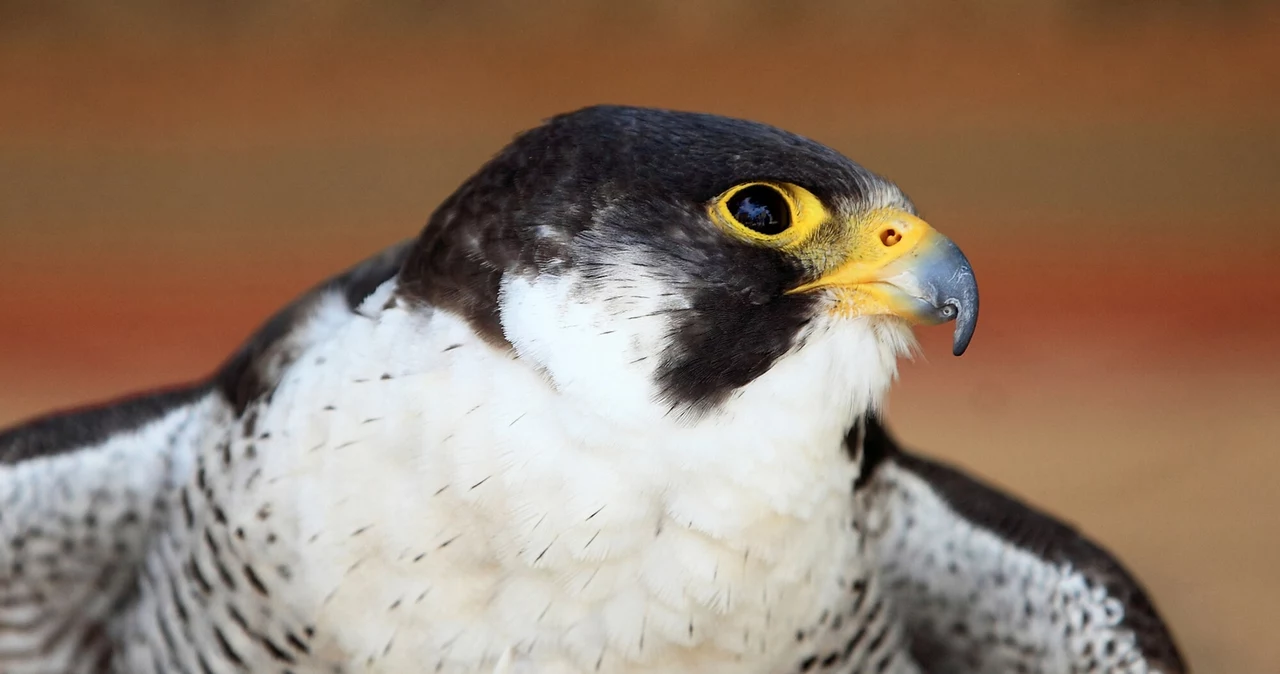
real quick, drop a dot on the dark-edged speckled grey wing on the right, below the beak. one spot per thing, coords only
(986, 584)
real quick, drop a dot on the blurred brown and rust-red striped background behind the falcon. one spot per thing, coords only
(172, 172)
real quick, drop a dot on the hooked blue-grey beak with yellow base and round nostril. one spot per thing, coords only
(899, 265)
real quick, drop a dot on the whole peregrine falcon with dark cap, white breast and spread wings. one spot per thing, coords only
(612, 411)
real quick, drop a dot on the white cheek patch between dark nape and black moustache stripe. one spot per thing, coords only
(598, 345)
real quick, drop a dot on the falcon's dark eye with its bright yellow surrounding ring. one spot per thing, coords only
(772, 214)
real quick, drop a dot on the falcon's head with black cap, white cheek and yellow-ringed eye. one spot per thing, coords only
(651, 263)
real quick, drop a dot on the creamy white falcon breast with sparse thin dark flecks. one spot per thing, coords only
(458, 512)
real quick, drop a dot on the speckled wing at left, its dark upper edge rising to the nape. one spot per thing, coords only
(83, 492)
